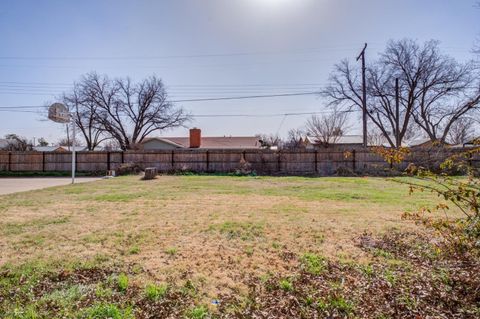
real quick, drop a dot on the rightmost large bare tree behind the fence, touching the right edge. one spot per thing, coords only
(440, 89)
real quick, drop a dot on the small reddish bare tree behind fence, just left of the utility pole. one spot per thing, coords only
(327, 128)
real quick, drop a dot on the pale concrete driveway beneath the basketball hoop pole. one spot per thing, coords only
(21, 184)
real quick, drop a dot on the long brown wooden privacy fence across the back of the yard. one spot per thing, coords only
(321, 162)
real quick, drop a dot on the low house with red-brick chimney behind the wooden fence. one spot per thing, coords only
(196, 141)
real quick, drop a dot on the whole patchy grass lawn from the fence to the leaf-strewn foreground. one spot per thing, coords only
(195, 246)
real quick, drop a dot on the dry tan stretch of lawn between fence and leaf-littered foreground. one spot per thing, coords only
(216, 231)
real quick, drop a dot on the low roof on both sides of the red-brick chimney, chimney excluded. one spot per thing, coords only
(220, 142)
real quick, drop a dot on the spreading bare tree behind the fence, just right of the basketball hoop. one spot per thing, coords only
(129, 112)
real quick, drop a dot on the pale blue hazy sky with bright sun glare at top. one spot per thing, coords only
(209, 49)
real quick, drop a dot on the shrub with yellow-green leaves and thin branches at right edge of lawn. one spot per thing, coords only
(461, 235)
